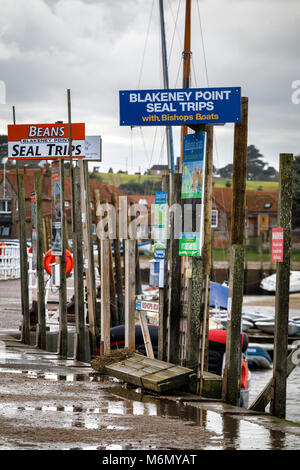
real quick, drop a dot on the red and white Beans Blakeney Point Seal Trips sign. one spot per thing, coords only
(45, 141)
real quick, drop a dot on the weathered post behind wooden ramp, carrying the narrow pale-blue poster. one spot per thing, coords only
(163, 297)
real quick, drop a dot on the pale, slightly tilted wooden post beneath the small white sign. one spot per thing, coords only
(88, 254)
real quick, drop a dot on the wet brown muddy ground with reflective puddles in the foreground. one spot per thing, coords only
(51, 403)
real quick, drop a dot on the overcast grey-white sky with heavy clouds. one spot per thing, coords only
(98, 47)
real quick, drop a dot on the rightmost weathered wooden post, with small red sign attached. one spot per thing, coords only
(278, 401)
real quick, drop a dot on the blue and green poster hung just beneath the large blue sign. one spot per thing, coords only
(192, 170)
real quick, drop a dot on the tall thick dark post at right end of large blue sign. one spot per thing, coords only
(231, 382)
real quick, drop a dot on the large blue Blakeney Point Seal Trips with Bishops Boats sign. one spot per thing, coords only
(179, 107)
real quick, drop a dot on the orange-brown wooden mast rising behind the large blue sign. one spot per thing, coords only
(186, 65)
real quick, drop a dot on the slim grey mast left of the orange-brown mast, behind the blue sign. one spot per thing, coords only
(169, 133)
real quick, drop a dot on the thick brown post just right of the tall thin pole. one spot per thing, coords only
(79, 344)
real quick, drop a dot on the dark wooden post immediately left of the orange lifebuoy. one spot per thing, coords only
(41, 327)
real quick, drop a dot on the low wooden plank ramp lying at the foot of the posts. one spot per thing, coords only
(151, 374)
